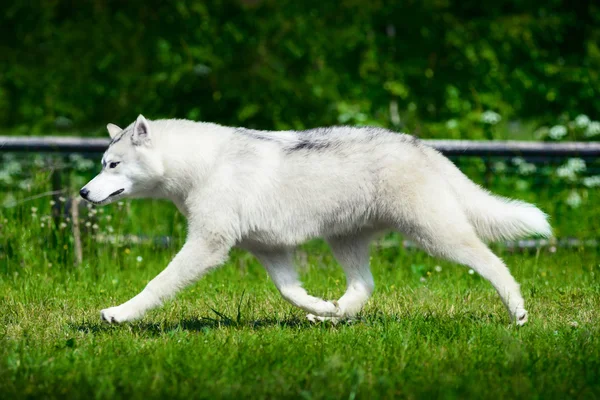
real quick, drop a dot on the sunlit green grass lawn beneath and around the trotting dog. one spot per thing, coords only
(423, 334)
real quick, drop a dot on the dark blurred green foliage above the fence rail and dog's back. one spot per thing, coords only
(432, 67)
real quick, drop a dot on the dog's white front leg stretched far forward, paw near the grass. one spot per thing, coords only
(195, 258)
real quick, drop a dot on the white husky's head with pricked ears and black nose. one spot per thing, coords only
(131, 166)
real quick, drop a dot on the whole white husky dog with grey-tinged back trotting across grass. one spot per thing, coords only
(268, 192)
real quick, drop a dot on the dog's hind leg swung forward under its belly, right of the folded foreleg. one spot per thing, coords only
(352, 252)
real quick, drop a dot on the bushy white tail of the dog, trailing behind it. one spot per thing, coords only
(493, 217)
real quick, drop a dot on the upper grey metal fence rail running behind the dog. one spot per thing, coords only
(57, 144)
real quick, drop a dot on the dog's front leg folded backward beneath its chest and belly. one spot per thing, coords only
(279, 265)
